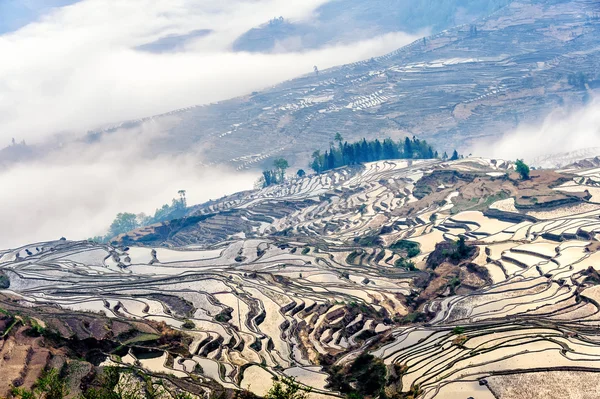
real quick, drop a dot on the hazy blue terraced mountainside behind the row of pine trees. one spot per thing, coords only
(456, 87)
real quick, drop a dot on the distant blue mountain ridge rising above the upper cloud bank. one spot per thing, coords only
(349, 20)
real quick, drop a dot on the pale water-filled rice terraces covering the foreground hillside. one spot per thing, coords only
(464, 280)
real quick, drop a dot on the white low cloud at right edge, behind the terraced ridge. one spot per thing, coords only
(563, 131)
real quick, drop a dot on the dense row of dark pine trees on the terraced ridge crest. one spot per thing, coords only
(368, 151)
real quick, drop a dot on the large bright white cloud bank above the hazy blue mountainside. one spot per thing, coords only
(77, 68)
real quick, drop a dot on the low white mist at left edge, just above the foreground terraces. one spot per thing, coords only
(77, 191)
